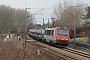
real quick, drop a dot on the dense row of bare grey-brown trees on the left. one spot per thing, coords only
(11, 18)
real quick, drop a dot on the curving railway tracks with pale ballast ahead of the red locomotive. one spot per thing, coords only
(65, 53)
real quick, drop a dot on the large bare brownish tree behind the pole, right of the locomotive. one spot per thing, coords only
(65, 14)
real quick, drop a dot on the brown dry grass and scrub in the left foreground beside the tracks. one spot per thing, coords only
(11, 50)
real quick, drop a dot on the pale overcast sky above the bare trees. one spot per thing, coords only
(22, 4)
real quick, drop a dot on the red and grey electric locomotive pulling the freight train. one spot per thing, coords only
(57, 35)
